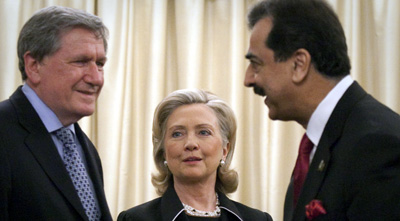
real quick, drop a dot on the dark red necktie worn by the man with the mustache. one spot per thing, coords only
(301, 168)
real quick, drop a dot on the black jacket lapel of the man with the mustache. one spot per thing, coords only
(330, 136)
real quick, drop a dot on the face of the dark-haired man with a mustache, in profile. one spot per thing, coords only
(269, 78)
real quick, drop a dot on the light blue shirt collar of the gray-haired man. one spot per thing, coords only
(48, 117)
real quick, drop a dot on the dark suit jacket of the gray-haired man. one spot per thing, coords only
(34, 184)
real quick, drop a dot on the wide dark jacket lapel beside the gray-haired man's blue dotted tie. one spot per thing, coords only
(40, 143)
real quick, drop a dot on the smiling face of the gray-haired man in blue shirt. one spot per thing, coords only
(70, 80)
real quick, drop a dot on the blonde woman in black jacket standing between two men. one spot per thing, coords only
(194, 135)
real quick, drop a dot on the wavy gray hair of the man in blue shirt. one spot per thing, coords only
(41, 34)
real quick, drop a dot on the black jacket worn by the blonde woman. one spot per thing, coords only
(169, 208)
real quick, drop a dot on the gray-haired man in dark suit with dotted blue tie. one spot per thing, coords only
(49, 169)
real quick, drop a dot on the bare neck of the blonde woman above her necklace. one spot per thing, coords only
(199, 196)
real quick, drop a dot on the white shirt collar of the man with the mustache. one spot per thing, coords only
(324, 110)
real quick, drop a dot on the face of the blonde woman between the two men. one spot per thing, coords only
(193, 144)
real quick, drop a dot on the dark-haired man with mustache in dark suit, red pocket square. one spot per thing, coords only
(299, 62)
